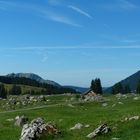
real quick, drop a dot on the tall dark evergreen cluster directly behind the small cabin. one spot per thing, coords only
(96, 86)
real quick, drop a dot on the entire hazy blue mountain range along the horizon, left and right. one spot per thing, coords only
(132, 81)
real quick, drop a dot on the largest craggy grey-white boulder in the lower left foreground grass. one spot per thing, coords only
(36, 129)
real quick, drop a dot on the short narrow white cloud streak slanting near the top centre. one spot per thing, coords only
(80, 11)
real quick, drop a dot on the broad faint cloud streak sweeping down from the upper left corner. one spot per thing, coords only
(43, 11)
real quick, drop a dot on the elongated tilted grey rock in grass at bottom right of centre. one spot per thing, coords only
(103, 129)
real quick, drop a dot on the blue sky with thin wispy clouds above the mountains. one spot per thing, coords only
(70, 41)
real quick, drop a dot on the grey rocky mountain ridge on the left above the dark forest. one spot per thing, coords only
(33, 77)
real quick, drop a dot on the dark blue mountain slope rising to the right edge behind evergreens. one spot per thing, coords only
(132, 81)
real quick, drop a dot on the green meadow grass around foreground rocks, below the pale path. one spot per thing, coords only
(91, 113)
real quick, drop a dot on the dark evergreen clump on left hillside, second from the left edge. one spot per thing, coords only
(15, 90)
